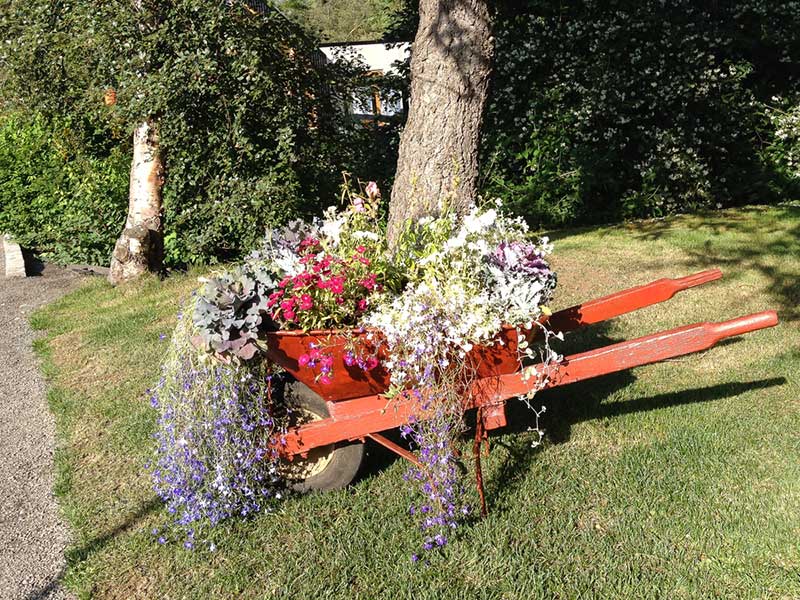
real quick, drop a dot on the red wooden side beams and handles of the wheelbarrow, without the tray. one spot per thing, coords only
(367, 416)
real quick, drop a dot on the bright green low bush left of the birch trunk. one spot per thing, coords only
(57, 197)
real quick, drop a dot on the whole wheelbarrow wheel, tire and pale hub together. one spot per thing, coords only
(330, 467)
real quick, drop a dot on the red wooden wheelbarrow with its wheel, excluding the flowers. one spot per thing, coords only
(326, 447)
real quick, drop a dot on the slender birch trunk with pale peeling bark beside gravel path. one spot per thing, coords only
(140, 247)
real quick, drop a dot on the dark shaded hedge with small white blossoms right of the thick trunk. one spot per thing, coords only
(601, 111)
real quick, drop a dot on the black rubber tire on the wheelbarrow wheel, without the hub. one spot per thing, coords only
(346, 458)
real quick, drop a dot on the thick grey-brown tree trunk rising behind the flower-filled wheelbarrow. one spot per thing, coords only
(451, 59)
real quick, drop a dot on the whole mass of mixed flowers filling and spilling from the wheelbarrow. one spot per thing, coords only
(450, 283)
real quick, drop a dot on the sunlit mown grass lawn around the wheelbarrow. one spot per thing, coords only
(678, 480)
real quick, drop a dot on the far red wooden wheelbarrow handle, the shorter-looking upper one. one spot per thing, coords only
(627, 301)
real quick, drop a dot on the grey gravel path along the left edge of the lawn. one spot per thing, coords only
(32, 534)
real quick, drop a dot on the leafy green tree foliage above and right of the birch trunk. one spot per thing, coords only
(249, 118)
